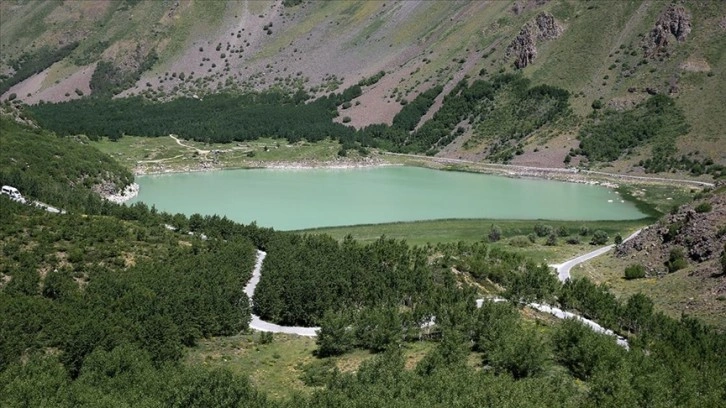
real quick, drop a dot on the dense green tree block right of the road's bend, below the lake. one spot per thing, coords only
(305, 276)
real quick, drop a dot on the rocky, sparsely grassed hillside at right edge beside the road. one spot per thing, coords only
(678, 262)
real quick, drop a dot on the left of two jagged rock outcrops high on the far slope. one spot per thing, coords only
(524, 47)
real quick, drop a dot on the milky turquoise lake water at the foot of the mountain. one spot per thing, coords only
(306, 198)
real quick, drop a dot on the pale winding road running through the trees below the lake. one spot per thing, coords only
(563, 273)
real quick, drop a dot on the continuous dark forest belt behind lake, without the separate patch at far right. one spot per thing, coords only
(507, 106)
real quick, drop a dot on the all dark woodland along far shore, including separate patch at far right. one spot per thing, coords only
(501, 112)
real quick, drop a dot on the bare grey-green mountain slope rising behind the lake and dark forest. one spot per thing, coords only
(612, 56)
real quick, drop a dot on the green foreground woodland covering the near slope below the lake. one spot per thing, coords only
(100, 304)
